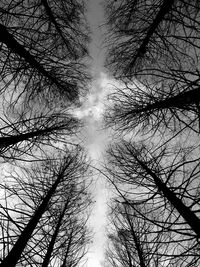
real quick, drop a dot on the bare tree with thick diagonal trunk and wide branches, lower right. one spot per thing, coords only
(162, 189)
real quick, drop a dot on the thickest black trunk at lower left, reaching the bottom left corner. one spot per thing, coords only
(15, 253)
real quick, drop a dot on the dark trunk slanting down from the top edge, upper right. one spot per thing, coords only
(165, 8)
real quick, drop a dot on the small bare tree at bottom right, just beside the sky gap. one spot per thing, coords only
(134, 241)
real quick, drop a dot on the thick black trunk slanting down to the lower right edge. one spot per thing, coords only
(189, 216)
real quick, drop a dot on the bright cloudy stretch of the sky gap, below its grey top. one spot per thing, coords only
(95, 139)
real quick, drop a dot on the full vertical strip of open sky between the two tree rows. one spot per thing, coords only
(95, 136)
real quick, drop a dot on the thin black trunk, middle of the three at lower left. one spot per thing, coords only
(53, 239)
